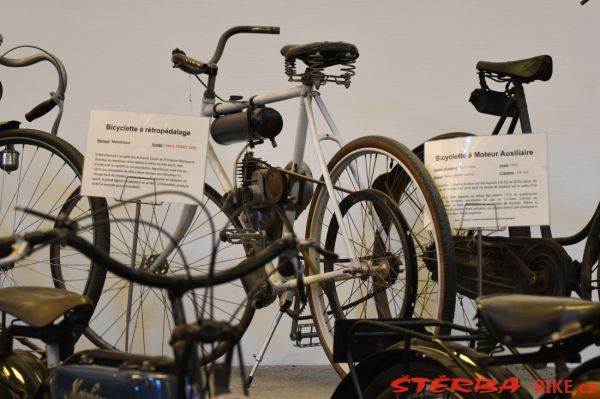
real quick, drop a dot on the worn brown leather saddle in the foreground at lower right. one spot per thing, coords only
(529, 320)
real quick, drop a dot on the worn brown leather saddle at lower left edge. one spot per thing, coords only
(40, 306)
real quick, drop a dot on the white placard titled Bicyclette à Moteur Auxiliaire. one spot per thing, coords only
(492, 181)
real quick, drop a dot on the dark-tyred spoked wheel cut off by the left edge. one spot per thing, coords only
(43, 172)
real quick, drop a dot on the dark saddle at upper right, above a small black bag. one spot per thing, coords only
(523, 71)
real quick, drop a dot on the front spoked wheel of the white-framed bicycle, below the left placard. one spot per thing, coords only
(133, 318)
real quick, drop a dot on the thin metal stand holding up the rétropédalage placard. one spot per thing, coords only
(136, 225)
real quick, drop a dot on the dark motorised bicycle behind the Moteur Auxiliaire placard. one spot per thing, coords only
(518, 262)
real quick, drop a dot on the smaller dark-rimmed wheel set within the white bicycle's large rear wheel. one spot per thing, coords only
(383, 240)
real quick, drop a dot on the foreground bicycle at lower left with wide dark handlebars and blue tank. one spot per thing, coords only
(58, 317)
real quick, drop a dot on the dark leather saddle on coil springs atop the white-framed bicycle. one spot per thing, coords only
(320, 54)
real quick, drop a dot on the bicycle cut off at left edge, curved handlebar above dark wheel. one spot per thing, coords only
(39, 169)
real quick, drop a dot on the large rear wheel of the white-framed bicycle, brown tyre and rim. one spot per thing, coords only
(384, 164)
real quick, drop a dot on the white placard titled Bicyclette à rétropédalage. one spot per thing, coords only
(130, 154)
